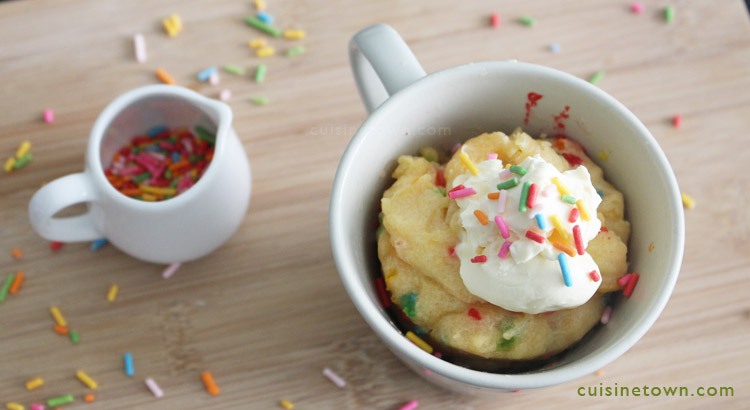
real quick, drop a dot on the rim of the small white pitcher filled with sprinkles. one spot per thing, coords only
(113, 109)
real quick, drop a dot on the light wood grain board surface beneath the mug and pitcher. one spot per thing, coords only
(267, 312)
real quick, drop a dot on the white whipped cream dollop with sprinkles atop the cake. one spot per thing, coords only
(525, 275)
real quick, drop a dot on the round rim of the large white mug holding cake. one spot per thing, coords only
(369, 310)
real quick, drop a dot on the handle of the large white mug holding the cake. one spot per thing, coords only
(382, 64)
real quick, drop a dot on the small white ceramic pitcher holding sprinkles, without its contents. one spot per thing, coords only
(179, 229)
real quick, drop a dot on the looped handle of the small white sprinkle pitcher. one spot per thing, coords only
(57, 195)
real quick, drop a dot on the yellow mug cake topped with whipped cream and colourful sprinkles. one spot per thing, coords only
(502, 255)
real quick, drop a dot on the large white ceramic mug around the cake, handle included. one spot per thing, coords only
(410, 110)
